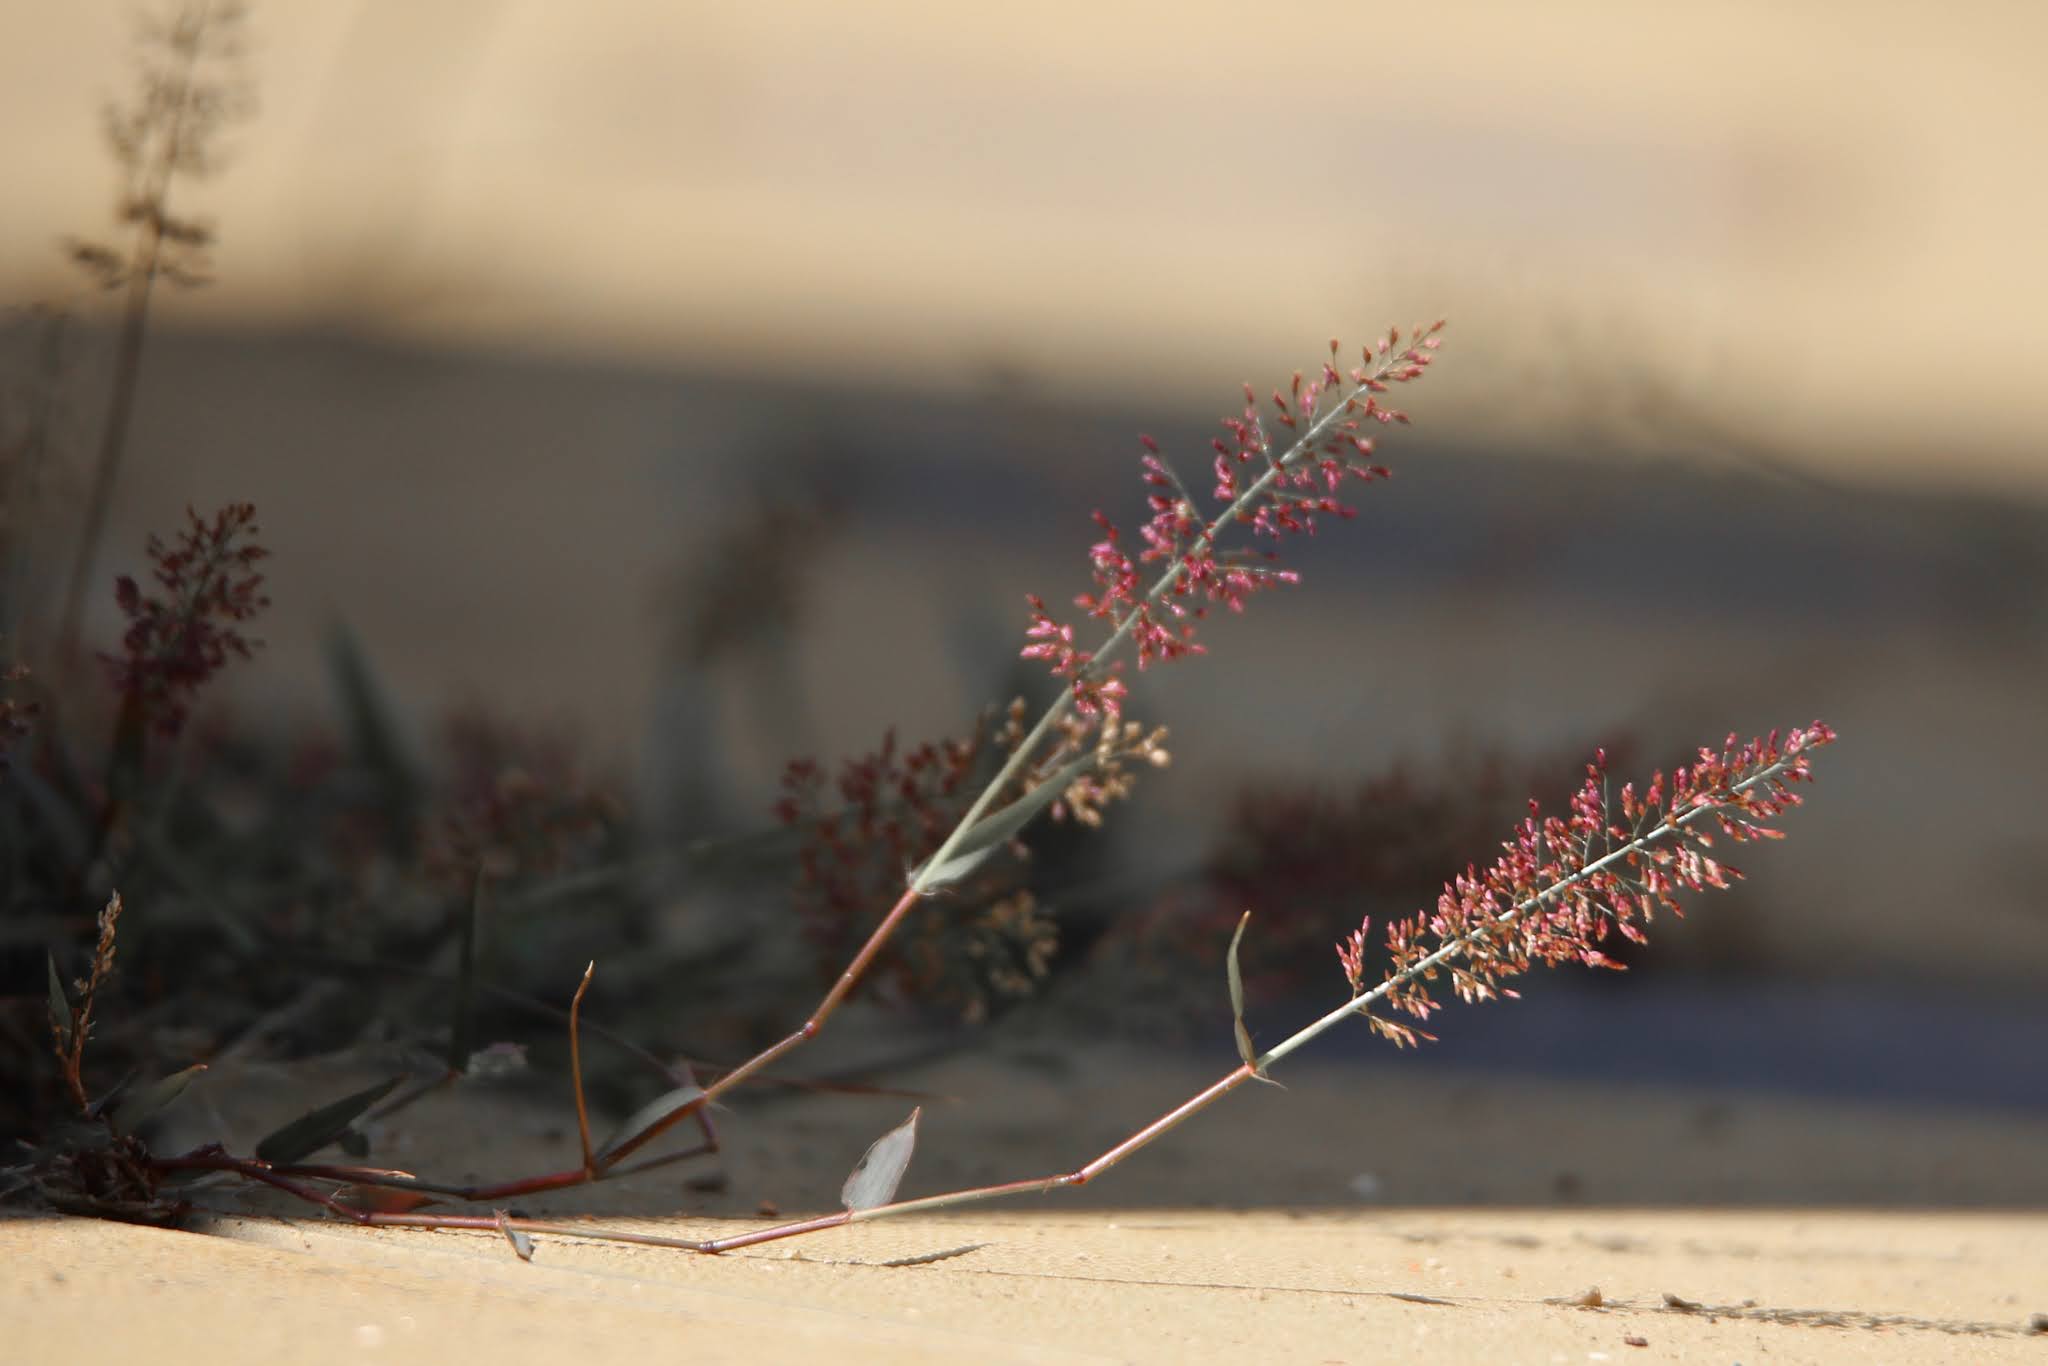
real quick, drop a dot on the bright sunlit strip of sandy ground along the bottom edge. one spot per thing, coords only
(1408, 1285)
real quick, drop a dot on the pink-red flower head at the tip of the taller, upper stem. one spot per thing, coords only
(1271, 490)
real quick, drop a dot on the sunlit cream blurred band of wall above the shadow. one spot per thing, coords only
(1818, 222)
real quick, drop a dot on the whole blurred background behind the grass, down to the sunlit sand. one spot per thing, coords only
(708, 386)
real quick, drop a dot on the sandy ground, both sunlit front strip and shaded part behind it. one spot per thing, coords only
(1396, 1218)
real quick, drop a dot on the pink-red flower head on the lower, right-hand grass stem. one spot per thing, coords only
(1564, 886)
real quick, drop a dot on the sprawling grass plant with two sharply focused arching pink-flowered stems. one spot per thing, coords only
(1564, 888)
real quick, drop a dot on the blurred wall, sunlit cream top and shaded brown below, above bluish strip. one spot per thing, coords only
(519, 306)
